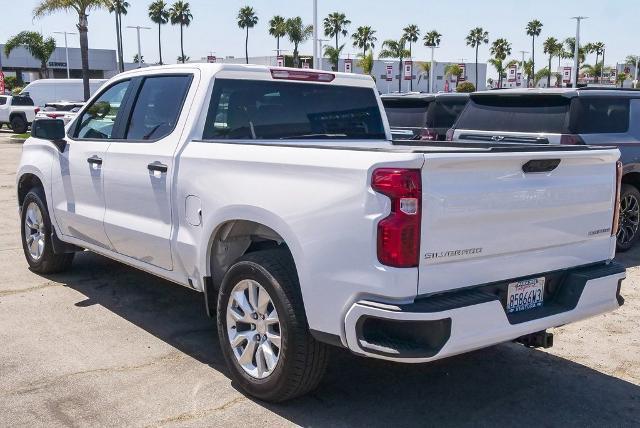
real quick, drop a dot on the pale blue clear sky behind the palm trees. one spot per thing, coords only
(214, 28)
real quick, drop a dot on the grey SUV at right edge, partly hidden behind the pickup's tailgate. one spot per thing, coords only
(594, 116)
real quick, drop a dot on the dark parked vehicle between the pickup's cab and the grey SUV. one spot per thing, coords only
(423, 116)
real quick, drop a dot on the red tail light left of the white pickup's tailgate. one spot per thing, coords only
(399, 232)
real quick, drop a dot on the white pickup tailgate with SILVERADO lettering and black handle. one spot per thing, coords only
(485, 219)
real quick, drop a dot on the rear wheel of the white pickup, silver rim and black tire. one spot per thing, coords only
(263, 330)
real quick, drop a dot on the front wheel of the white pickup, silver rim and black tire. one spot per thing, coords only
(45, 261)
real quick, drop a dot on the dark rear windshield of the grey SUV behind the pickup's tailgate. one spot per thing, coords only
(548, 114)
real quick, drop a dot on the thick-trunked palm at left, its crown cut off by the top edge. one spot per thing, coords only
(82, 8)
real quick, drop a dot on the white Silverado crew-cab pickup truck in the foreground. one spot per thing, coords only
(279, 195)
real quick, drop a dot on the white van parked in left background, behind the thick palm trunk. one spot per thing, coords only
(44, 91)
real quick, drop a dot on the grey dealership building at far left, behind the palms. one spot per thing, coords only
(102, 64)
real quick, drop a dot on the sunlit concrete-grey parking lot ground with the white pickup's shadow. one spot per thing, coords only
(107, 345)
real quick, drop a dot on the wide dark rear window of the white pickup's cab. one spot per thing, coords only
(254, 110)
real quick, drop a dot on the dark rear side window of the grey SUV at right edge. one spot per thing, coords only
(600, 115)
